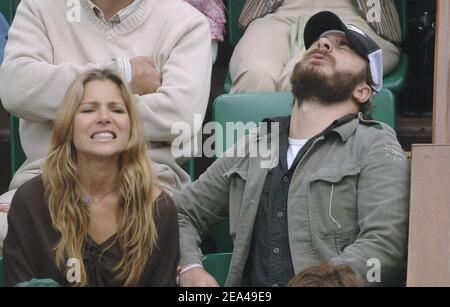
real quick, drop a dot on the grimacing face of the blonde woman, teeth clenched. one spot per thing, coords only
(102, 124)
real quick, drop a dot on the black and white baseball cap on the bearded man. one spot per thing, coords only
(328, 22)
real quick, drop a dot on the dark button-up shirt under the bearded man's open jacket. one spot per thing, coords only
(270, 262)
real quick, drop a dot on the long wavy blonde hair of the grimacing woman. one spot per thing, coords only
(136, 228)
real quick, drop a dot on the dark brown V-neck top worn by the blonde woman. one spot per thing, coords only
(28, 248)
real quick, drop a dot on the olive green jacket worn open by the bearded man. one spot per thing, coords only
(348, 202)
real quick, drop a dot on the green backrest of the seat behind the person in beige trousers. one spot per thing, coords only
(235, 33)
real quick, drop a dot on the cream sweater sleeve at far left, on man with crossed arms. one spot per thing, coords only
(31, 87)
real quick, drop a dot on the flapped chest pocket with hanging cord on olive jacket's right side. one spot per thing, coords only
(332, 201)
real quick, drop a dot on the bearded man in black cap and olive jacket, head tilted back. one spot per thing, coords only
(338, 189)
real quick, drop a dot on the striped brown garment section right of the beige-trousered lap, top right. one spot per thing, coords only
(382, 16)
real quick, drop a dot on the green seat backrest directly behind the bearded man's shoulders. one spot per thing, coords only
(248, 108)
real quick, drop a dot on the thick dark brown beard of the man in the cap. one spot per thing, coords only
(308, 83)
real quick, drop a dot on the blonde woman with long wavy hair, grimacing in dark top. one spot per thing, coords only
(95, 217)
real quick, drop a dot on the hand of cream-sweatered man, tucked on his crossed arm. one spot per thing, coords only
(145, 78)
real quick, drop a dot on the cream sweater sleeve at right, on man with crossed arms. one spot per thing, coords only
(186, 77)
